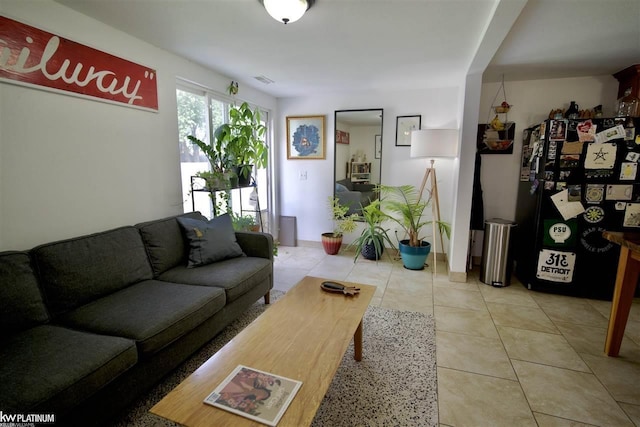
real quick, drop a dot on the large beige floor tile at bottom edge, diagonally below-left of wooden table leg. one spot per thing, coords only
(568, 394)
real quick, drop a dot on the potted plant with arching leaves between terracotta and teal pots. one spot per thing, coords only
(370, 243)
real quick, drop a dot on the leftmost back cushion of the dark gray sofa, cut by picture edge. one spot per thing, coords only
(21, 304)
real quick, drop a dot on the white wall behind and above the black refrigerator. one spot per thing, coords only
(532, 100)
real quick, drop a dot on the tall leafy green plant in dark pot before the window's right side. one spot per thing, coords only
(242, 140)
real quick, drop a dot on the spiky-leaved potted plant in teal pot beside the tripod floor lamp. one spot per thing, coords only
(404, 206)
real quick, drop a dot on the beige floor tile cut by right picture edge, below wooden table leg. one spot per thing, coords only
(621, 377)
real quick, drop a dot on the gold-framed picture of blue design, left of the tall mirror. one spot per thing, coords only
(305, 137)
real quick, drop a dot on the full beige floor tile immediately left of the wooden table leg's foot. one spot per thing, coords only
(541, 347)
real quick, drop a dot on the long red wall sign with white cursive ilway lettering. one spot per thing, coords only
(33, 57)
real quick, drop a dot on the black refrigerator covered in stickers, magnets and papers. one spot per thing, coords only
(578, 177)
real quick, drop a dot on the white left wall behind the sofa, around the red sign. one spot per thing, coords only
(70, 166)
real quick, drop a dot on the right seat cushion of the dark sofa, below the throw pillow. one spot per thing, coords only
(236, 276)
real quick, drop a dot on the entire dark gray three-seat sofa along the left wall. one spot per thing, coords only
(89, 324)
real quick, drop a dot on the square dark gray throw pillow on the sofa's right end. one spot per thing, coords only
(210, 241)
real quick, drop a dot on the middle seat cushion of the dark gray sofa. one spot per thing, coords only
(153, 313)
